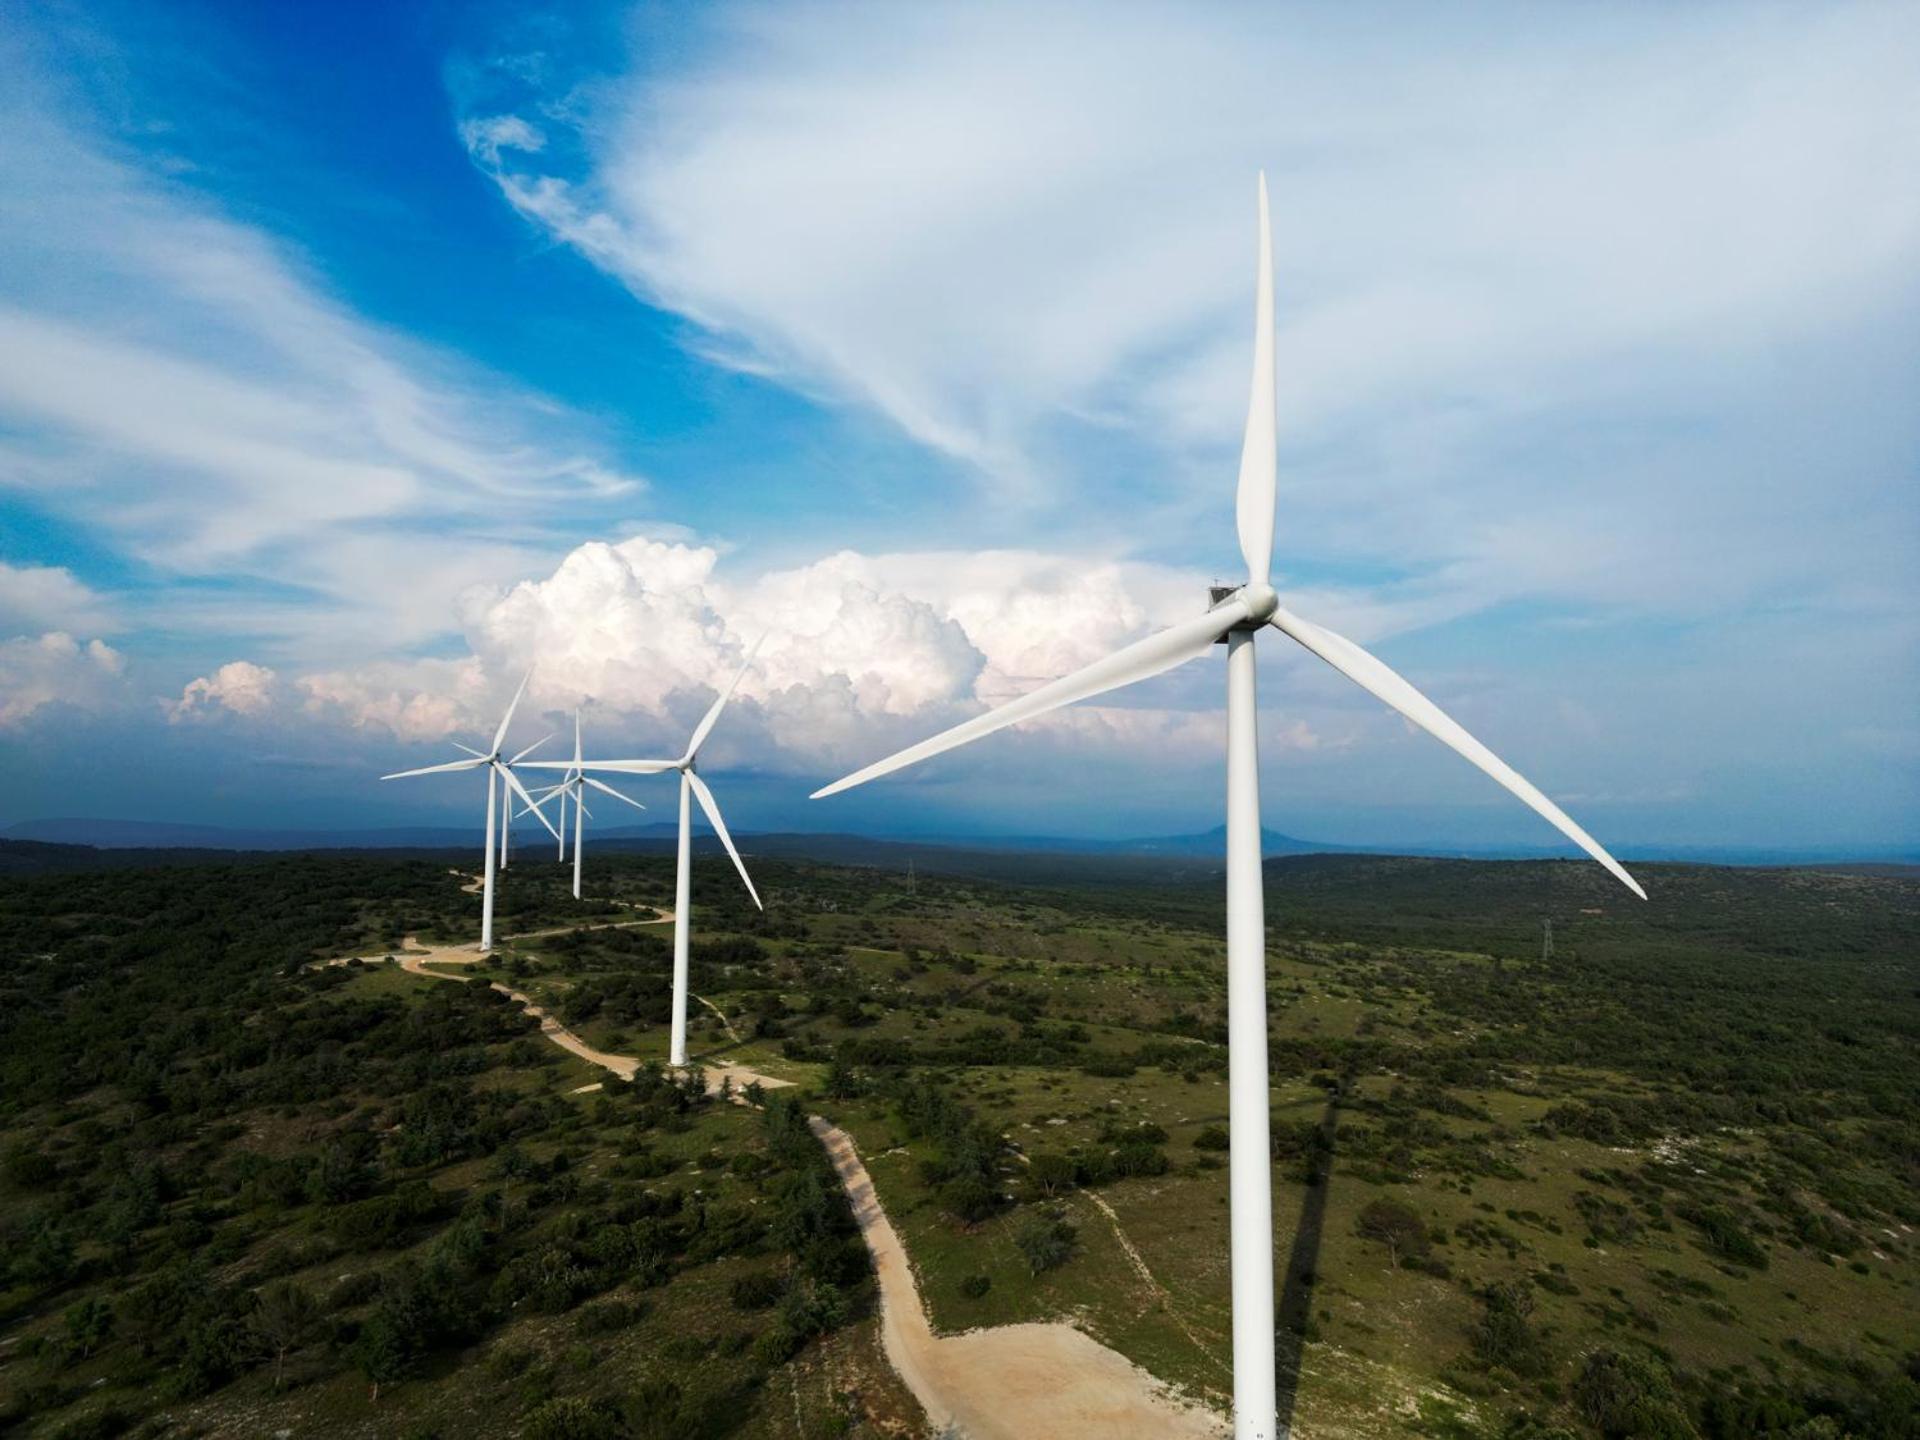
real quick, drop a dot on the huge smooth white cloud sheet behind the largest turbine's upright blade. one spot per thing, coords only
(1535, 279)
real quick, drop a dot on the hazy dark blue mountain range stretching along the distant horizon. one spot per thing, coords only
(869, 850)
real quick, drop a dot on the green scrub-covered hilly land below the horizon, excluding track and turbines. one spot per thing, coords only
(1660, 1182)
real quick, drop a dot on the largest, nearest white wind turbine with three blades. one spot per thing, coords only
(1237, 617)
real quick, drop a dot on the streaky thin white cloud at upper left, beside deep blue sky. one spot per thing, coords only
(189, 389)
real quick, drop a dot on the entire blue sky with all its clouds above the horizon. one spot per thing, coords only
(356, 358)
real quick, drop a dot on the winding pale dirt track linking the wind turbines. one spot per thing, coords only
(1003, 1383)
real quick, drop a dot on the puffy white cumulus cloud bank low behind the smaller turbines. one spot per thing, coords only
(853, 650)
